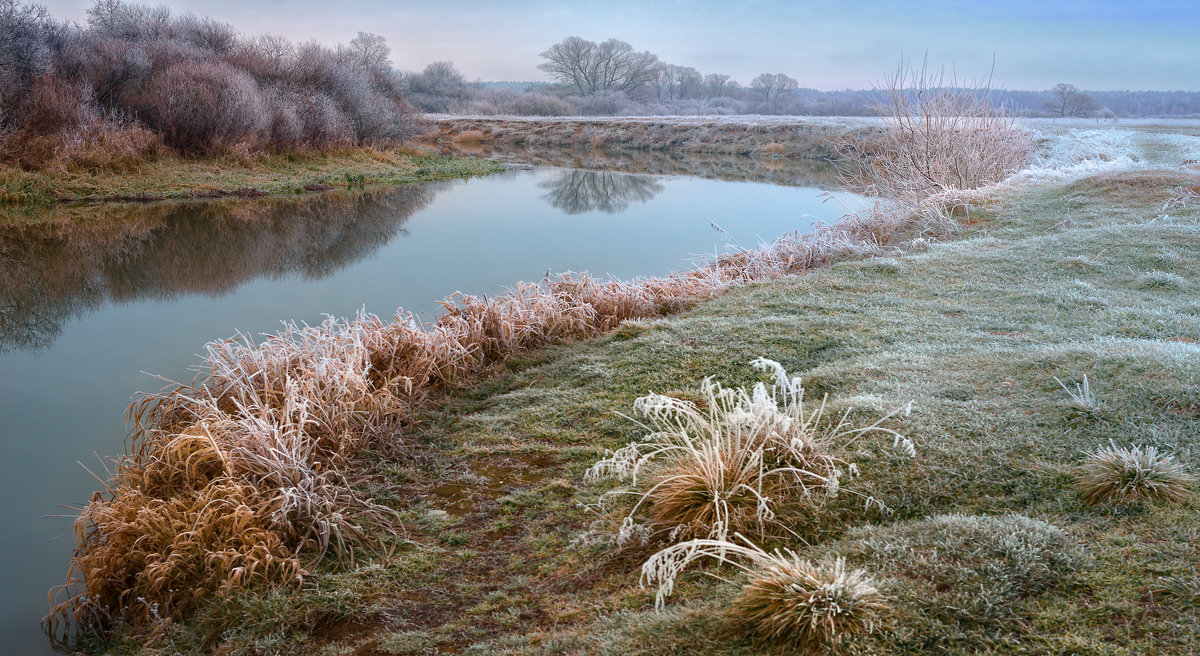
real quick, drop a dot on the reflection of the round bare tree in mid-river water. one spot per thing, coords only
(584, 191)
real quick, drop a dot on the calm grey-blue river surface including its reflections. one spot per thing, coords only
(87, 306)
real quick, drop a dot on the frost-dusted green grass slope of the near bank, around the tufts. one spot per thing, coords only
(506, 553)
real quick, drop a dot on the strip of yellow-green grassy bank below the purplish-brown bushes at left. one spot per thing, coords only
(259, 176)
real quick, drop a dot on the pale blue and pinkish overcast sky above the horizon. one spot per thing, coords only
(832, 45)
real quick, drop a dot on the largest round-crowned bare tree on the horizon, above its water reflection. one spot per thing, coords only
(595, 68)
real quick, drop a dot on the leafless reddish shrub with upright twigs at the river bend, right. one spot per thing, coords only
(938, 141)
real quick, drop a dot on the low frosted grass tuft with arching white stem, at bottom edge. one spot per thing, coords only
(788, 603)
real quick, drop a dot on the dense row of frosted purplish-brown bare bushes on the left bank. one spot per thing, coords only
(135, 79)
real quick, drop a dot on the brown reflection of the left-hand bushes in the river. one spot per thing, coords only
(57, 269)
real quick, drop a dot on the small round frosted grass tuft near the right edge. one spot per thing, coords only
(1132, 476)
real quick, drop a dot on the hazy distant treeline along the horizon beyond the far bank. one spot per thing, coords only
(611, 79)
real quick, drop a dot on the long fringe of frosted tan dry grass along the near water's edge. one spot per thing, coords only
(284, 422)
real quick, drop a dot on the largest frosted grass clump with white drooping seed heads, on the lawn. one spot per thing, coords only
(723, 468)
